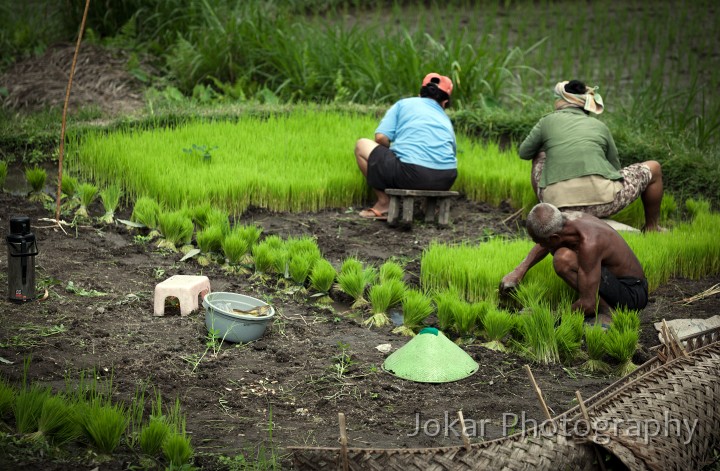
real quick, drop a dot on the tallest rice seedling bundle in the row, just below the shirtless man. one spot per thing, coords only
(538, 335)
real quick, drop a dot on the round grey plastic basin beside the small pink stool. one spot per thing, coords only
(233, 327)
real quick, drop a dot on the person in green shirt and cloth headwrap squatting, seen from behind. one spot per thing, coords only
(576, 165)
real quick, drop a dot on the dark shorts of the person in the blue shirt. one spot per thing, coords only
(386, 171)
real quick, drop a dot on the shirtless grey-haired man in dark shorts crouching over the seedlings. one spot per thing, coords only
(589, 256)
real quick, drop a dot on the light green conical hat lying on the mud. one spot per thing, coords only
(430, 357)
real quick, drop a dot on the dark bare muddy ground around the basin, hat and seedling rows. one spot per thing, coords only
(282, 390)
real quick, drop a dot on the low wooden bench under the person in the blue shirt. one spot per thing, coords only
(405, 199)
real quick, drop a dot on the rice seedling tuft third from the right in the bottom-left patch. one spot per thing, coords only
(103, 424)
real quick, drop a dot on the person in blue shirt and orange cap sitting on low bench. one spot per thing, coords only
(414, 146)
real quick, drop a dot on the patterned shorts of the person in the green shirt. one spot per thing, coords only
(636, 178)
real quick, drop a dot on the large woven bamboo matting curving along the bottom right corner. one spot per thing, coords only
(678, 389)
